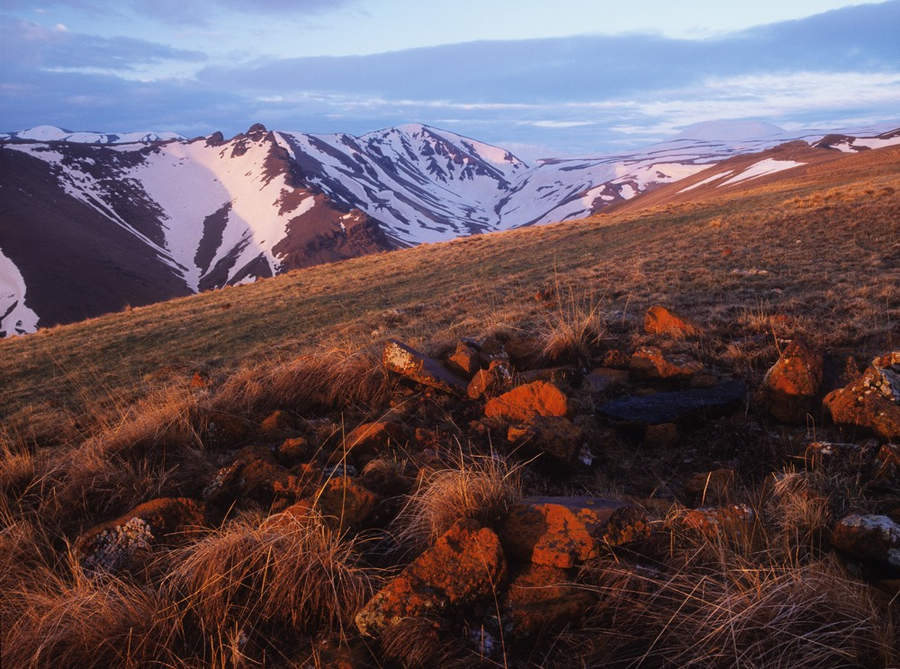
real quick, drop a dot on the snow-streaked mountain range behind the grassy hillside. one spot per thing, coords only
(92, 222)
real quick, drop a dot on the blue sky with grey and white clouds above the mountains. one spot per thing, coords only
(540, 78)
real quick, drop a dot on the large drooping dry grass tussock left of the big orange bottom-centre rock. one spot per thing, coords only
(295, 574)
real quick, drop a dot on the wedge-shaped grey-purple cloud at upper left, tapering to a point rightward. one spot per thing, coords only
(27, 44)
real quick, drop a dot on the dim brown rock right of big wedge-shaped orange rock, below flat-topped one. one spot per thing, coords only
(539, 599)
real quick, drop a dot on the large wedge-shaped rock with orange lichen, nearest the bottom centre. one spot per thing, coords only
(465, 564)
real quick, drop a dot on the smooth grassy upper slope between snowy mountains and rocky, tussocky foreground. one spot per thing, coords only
(827, 236)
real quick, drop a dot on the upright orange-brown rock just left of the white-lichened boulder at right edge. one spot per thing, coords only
(790, 386)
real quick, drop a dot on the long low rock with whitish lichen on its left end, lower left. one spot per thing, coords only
(123, 542)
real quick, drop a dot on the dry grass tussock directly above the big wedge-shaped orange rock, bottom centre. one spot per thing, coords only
(479, 487)
